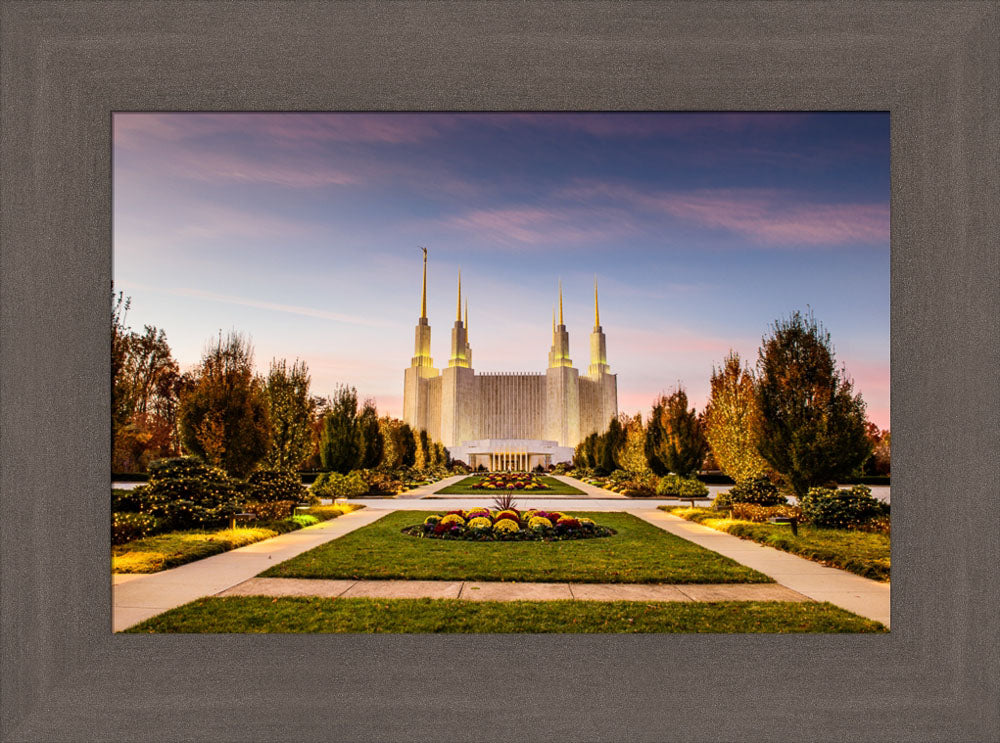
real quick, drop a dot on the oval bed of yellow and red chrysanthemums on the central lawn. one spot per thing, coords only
(510, 525)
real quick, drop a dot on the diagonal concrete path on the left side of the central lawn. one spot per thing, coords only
(137, 597)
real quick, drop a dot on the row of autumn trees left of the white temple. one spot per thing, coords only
(227, 415)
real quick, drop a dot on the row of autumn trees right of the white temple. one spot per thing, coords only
(795, 417)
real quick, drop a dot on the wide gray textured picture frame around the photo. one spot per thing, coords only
(65, 66)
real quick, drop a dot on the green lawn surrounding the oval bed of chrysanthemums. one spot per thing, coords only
(638, 553)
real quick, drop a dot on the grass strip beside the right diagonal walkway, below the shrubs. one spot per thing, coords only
(860, 552)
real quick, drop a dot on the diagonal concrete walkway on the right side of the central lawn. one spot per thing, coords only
(862, 596)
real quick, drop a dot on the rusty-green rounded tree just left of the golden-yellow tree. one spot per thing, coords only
(679, 444)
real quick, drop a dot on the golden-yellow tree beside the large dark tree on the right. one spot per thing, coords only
(732, 421)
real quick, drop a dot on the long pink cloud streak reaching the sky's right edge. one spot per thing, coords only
(765, 215)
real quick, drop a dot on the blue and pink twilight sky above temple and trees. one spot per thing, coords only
(703, 229)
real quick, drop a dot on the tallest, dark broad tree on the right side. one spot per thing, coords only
(812, 423)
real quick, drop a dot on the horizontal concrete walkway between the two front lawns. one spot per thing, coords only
(511, 591)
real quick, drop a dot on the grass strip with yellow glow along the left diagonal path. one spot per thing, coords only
(162, 551)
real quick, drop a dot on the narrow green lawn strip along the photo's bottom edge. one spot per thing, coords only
(254, 614)
